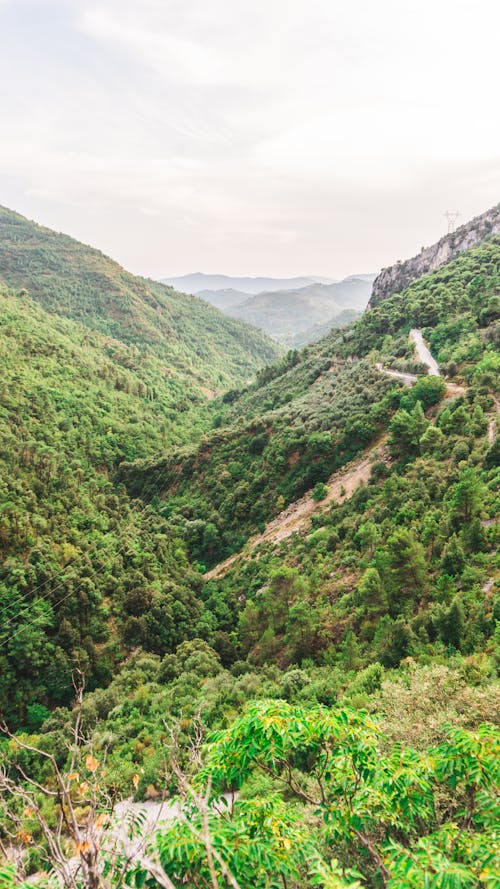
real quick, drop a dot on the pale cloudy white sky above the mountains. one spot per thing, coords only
(250, 137)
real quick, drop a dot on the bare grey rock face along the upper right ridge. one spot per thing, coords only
(395, 278)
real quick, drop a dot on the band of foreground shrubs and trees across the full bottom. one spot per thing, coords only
(326, 796)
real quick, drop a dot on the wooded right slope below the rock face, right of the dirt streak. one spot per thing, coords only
(407, 567)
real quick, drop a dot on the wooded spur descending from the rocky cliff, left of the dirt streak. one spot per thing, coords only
(307, 416)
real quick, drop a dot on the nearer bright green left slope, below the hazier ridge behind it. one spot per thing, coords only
(75, 548)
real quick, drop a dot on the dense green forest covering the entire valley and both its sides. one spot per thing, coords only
(322, 708)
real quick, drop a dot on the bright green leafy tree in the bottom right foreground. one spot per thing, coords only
(383, 803)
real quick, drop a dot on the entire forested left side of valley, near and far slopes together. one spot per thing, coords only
(97, 367)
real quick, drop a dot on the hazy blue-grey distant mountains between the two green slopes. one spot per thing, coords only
(289, 310)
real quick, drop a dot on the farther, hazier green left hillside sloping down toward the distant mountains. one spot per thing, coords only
(196, 343)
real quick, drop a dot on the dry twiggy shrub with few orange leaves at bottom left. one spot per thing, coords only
(82, 844)
